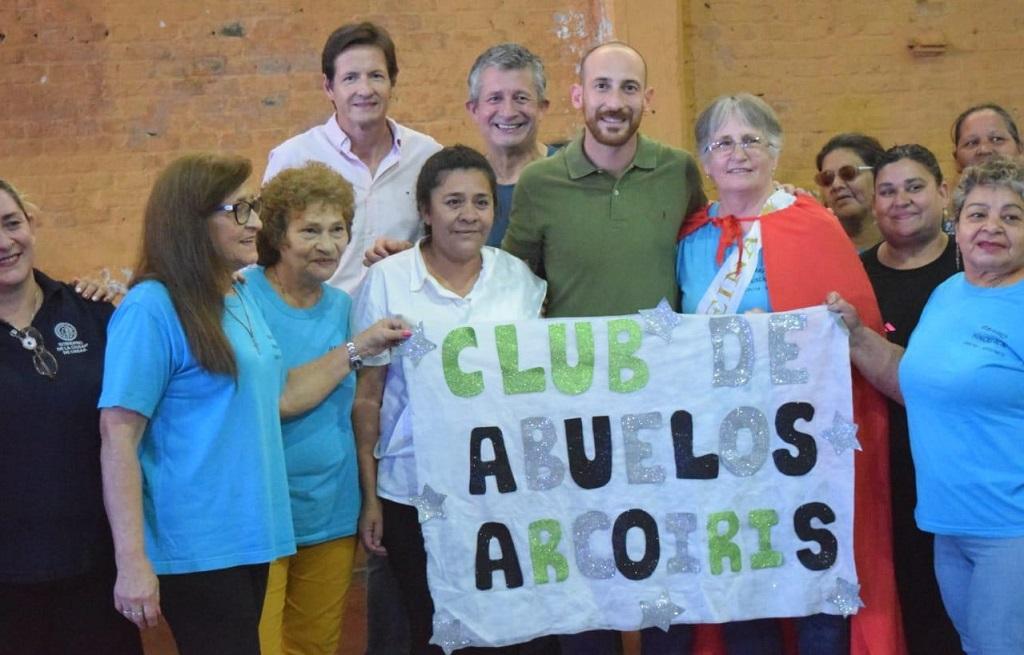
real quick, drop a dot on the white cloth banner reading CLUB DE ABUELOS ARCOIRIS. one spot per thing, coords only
(627, 472)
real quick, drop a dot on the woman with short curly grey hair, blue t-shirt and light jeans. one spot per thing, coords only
(961, 379)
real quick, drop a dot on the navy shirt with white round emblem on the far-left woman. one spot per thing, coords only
(53, 525)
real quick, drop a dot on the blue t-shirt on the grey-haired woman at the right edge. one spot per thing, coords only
(963, 380)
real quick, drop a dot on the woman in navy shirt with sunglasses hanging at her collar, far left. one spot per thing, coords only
(57, 561)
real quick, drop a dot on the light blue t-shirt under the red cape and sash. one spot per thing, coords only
(697, 268)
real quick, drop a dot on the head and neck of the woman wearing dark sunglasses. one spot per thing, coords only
(847, 184)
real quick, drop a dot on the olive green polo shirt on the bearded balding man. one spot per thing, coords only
(607, 246)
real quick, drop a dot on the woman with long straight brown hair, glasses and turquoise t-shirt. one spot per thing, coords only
(194, 470)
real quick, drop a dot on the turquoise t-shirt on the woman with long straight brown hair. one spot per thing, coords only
(215, 488)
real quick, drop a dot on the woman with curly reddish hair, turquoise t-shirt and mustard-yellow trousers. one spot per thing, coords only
(307, 217)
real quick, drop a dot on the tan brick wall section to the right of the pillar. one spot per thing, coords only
(836, 67)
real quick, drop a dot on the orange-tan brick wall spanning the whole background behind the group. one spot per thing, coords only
(99, 96)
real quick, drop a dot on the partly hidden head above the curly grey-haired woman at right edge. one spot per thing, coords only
(983, 133)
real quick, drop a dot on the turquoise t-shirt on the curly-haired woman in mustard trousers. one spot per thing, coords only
(320, 447)
